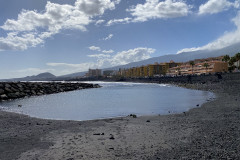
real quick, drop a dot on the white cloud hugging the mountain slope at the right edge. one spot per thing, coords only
(228, 39)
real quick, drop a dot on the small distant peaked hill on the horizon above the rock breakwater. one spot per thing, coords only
(40, 77)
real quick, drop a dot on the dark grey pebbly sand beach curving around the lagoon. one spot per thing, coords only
(211, 131)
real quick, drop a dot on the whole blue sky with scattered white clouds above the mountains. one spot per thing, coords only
(67, 36)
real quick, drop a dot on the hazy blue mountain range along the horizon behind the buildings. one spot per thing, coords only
(182, 57)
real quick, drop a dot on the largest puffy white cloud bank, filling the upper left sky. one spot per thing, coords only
(56, 17)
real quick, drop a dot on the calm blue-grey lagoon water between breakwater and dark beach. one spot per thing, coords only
(112, 100)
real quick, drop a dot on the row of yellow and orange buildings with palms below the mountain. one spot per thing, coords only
(195, 67)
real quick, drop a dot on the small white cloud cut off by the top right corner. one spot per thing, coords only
(216, 6)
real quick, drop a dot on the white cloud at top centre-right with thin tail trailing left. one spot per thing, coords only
(155, 9)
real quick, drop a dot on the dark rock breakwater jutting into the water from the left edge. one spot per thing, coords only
(14, 90)
